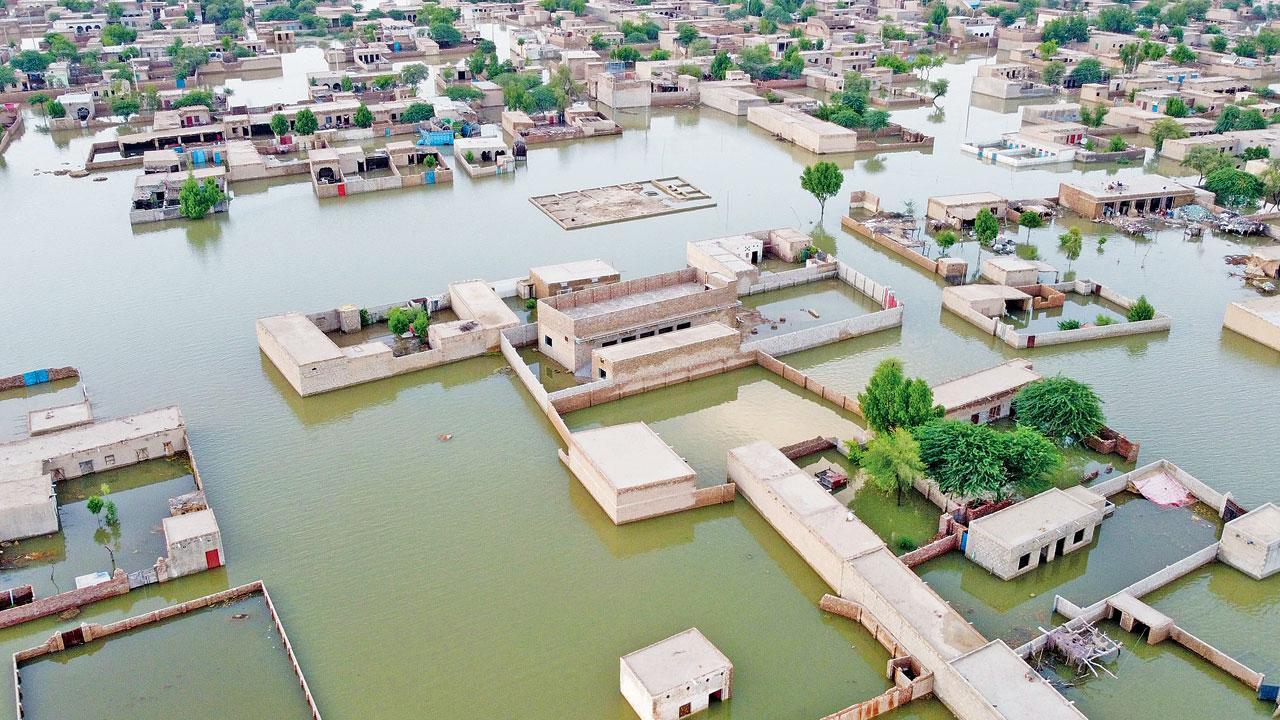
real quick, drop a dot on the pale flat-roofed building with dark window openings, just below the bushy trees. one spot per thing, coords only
(1027, 535)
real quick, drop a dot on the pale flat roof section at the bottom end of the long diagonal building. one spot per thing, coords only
(1013, 689)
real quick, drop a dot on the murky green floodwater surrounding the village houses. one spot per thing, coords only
(408, 568)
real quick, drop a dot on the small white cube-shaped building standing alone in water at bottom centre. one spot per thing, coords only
(676, 678)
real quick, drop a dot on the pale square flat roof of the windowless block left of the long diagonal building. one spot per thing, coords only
(633, 457)
